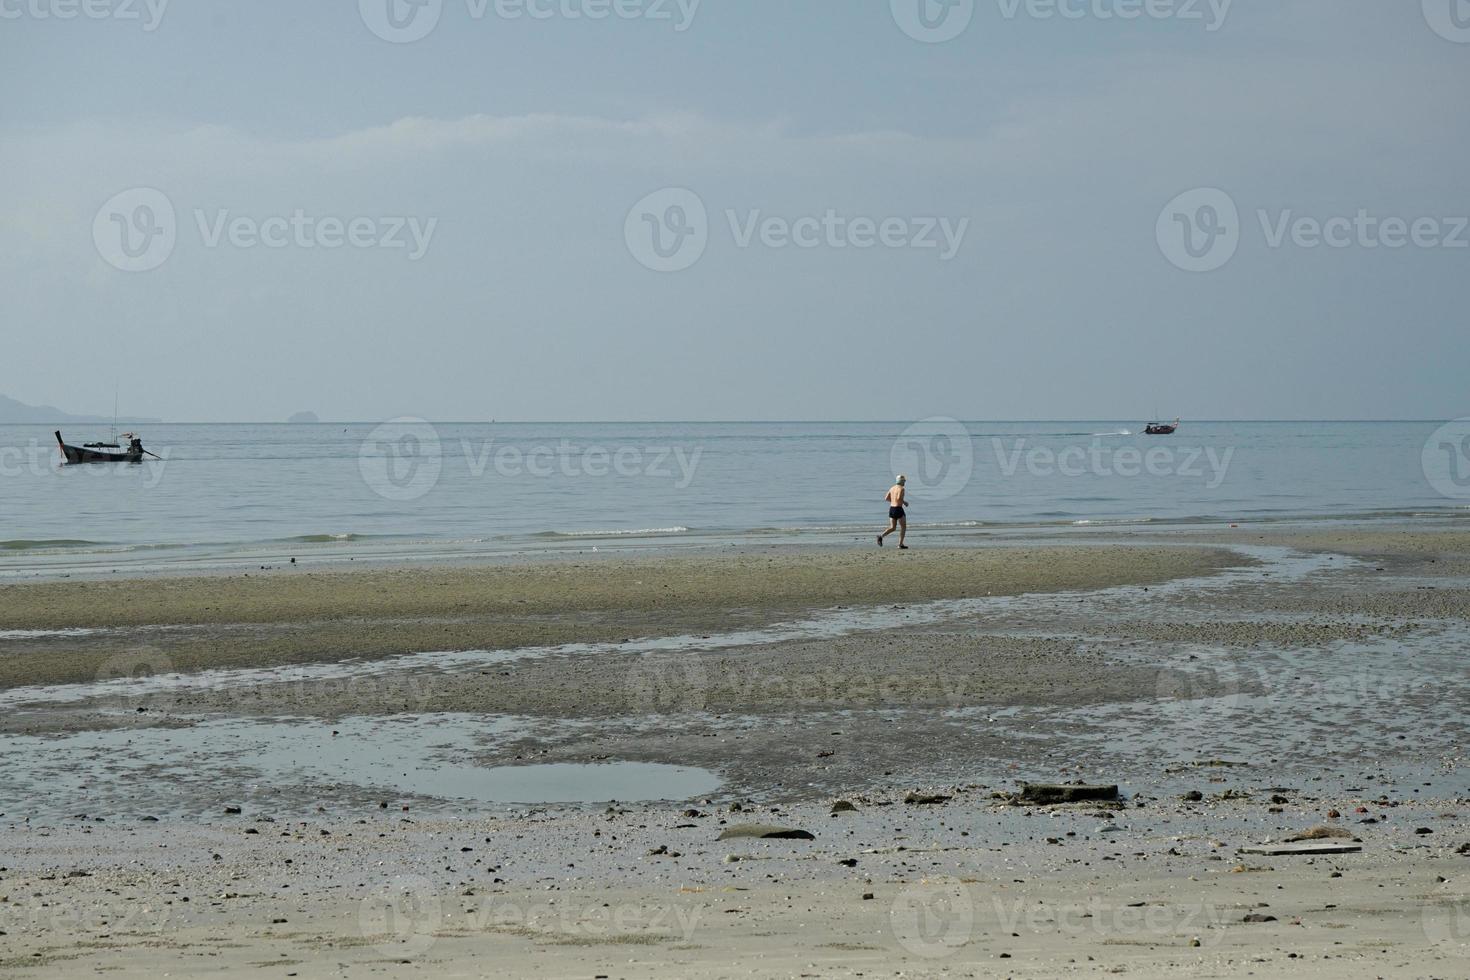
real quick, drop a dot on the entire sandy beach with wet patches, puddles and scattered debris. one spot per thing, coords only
(315, 775)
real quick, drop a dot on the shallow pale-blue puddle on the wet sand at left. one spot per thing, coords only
(289, 766)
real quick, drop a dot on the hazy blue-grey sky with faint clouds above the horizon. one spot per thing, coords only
(737, 209)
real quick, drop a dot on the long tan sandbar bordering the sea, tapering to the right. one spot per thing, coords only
(290, 615)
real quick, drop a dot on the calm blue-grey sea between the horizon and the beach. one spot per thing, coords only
(402, 489)
